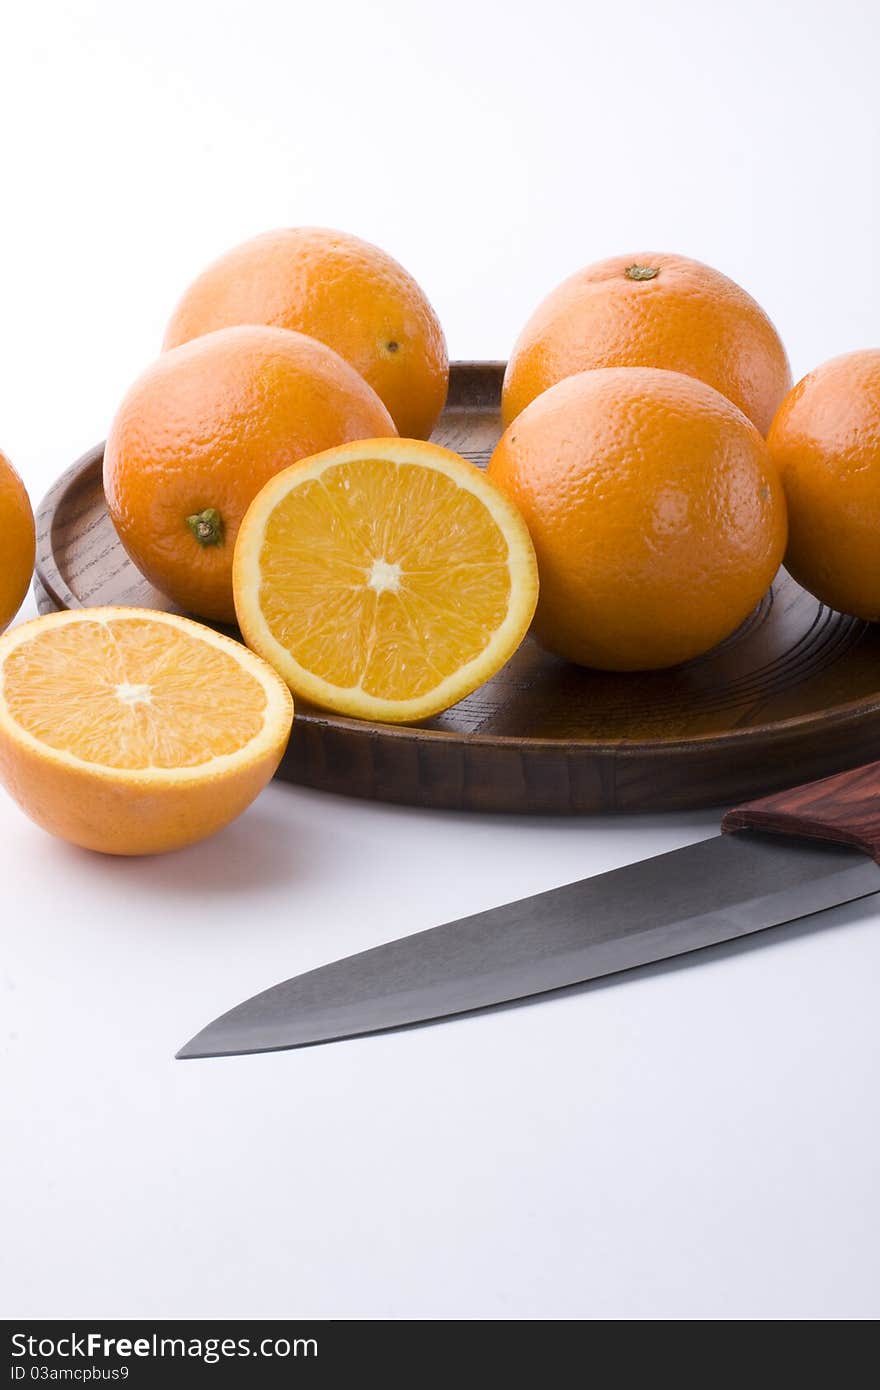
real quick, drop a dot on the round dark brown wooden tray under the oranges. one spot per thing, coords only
(793, 694)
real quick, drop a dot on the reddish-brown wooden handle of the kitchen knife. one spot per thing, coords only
(845, 808)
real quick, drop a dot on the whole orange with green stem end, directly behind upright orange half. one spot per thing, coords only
(199, 434)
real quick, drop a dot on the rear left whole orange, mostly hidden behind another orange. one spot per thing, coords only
(343, 291)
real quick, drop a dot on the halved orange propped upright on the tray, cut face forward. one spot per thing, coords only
(384, 579)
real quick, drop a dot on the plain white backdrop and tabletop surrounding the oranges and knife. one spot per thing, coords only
(696, 1143)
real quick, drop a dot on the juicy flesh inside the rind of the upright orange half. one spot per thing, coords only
(383, 576)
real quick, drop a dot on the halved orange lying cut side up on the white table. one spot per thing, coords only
(133, 732)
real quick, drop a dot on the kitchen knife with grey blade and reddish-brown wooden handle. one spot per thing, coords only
(778, 860)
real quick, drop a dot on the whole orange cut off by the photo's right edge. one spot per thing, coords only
(826, 444)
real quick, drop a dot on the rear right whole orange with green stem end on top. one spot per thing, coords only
(681, 315)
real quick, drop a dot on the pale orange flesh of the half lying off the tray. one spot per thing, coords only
(133, 694)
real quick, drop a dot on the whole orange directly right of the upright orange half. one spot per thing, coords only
(657, 515)
